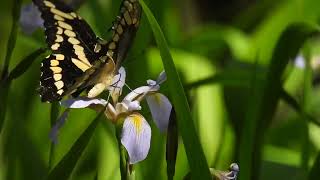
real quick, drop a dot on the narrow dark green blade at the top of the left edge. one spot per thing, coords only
(13, 36)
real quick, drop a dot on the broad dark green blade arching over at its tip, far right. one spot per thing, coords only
(262, 105)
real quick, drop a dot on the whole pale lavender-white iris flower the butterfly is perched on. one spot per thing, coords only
(136, 132)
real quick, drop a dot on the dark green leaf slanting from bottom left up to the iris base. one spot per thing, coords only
(64, 168)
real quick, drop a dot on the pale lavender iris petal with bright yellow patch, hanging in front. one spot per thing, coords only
(136, 136)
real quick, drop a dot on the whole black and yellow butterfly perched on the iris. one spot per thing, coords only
(79, 58)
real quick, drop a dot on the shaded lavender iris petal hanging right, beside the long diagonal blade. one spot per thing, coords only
(160, 108)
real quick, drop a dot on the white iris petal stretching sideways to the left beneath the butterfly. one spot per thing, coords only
(82, 102)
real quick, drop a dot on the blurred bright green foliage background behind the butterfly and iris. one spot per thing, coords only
(218, 48)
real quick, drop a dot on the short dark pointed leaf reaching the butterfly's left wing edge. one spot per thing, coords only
(25, 63)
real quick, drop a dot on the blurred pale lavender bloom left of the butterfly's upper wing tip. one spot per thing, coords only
(30, 18)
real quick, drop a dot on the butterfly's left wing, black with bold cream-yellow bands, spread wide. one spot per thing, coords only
(72, 42)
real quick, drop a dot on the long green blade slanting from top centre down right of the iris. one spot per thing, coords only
(197, 162)
